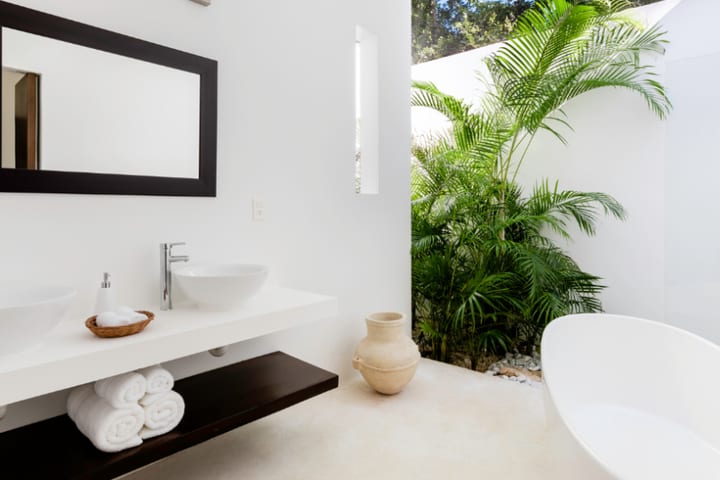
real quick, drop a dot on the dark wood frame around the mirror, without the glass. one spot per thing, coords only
(41, 181)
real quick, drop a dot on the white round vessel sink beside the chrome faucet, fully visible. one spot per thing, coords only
(221, 286)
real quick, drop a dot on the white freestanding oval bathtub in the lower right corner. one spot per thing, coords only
(641, 398)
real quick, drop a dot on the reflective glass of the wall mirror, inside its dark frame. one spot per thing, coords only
(71, 108)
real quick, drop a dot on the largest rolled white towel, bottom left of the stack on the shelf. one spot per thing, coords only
(109, 429)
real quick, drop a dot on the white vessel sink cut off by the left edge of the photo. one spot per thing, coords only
(27, 314)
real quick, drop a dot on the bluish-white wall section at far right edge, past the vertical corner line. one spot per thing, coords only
(692, 253)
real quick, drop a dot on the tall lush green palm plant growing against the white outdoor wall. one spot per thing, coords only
(487, 274)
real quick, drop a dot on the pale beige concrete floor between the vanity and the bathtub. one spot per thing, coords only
(449, 423)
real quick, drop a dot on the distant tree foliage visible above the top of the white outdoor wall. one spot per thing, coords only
(442, 28)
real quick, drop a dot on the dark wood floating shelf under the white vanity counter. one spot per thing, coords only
(216, 402)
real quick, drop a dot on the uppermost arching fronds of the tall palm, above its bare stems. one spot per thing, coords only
(562, 50)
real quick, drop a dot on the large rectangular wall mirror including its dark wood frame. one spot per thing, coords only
(85, 110)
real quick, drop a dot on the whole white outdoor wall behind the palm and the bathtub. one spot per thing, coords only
(662, 262)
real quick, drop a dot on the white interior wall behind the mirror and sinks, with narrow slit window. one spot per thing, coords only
(286, 134)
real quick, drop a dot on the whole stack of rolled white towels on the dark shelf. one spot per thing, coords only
(121, 411)
